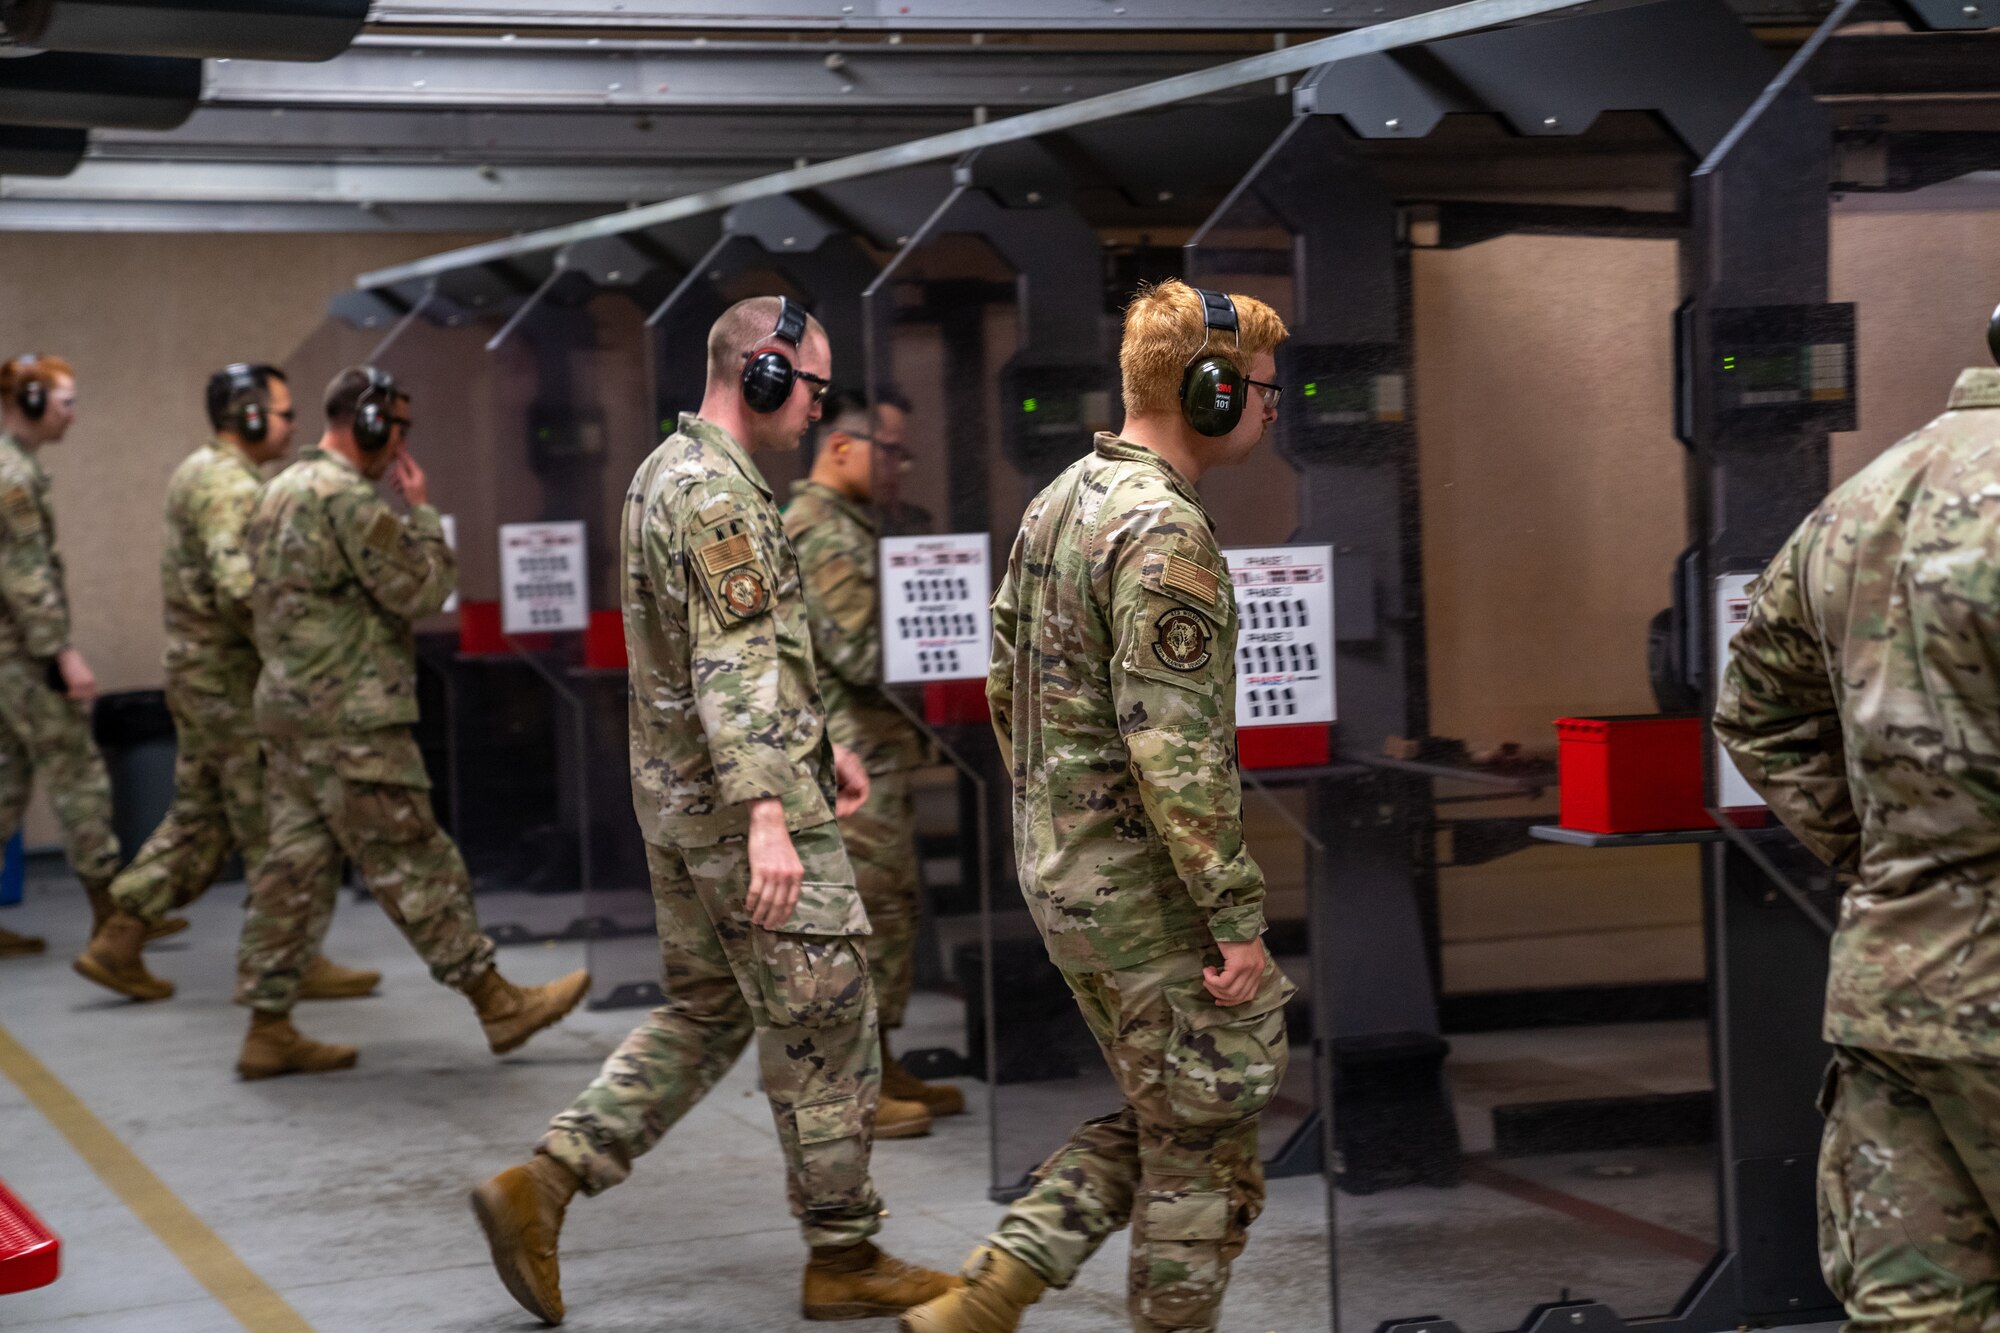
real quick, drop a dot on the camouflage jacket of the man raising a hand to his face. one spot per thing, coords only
(337, 583)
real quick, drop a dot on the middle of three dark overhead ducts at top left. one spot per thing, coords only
(131, 93)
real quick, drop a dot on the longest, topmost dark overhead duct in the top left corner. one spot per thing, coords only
(199, 29)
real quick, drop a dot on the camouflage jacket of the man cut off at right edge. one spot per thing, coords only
(1863, 702)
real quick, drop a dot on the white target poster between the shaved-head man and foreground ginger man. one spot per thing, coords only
(935, 607)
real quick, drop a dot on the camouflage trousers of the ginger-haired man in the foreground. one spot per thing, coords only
(1179, 1162)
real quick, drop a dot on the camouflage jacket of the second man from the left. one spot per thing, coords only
(205, 579)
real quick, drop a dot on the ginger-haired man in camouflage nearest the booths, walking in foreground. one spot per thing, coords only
(1113, 696)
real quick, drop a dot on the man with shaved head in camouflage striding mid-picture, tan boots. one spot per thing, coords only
(731, 766)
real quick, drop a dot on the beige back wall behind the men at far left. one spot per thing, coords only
(147, 319)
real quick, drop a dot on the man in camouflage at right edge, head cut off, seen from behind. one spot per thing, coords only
(1861, 702)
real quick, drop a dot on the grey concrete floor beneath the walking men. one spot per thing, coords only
(347, 1192)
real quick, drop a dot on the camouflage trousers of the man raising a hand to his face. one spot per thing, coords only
(353, 800)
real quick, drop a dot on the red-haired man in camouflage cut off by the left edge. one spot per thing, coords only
(45, 686)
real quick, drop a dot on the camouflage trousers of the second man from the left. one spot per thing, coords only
(219, 808)
